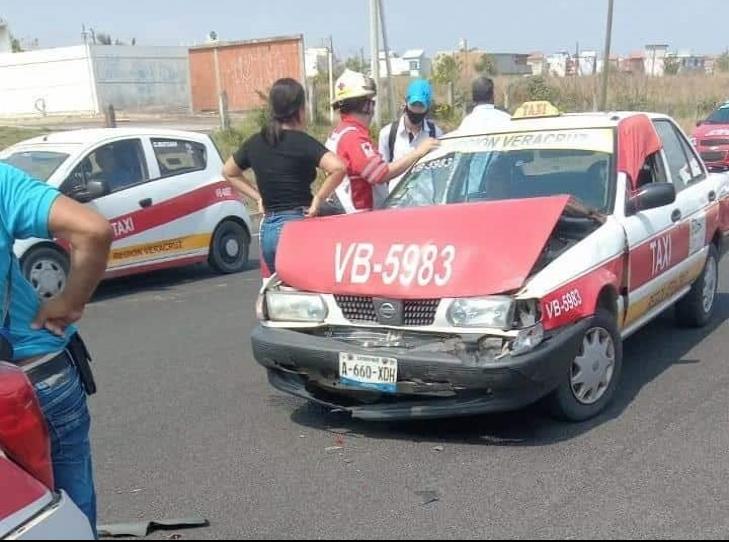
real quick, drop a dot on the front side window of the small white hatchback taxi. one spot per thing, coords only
(118, 165)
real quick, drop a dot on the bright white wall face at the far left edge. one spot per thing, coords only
(57, 80)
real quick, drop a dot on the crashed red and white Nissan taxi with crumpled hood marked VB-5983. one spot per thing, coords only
(507, 268)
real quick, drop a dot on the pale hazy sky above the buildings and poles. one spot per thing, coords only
(433, 25)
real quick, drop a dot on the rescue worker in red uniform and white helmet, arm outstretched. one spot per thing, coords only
(365, 187)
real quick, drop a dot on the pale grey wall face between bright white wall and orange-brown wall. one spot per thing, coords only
(134, 78)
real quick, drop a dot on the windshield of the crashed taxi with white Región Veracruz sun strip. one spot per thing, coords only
(514, 166)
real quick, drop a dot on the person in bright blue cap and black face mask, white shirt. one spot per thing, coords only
(400, 138)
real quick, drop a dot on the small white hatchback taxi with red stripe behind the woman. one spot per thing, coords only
(162, 191)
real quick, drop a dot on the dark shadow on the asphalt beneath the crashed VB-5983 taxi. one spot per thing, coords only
(647, 355)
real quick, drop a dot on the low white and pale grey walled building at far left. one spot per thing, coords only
(86, 79)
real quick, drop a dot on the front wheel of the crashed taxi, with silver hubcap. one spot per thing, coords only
(575, 402)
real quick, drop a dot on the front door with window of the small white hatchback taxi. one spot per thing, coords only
(122, 168)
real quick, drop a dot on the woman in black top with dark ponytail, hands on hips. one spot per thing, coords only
(284, 159)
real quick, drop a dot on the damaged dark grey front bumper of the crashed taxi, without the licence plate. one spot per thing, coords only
(431, 384)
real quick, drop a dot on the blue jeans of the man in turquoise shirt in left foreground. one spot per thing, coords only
(63, 401)
